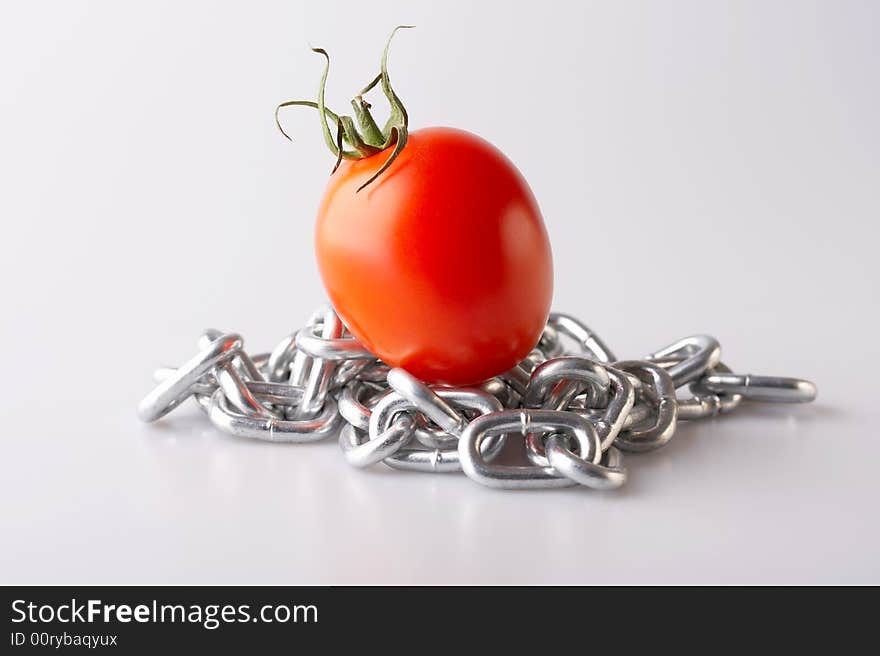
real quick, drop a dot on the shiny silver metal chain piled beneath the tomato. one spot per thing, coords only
(559, 418)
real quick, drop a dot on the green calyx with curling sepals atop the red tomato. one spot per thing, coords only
(369, 139)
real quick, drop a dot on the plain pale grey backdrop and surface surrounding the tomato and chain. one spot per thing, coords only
(722, 160)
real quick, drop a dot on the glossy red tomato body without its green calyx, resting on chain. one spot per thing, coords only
(442, 265)
